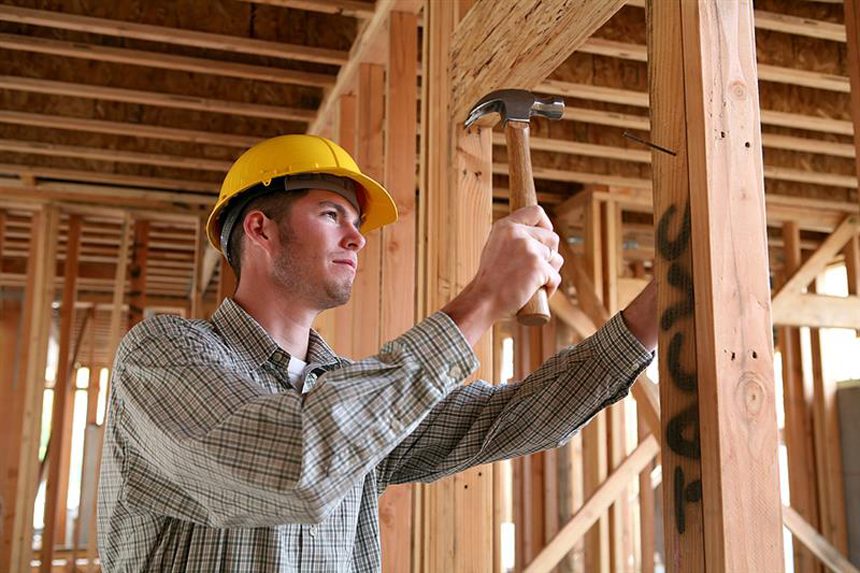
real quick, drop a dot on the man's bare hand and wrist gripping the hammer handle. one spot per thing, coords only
(520, 256)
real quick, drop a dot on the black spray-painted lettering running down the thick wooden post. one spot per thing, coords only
(682, 430)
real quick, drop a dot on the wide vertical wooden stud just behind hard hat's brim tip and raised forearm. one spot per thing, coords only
(398, 250)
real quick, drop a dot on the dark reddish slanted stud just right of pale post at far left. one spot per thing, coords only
(56, 490)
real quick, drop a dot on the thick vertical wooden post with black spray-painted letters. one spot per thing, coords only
(720, 461)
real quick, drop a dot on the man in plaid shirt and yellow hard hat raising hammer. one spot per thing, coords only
(243, 443)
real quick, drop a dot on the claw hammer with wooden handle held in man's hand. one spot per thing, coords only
(516, 107)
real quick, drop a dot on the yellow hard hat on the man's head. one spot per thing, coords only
(300, 154)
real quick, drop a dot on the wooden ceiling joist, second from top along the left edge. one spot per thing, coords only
(163, 61)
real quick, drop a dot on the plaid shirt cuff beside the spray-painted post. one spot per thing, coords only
(620, 351)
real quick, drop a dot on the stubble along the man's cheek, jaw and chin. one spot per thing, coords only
(294, 272)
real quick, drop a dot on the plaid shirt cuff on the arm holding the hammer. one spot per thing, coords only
(439, 346)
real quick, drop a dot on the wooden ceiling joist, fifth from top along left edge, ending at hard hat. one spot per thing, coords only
(99, 154)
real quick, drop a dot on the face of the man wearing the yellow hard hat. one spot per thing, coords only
(318, 249)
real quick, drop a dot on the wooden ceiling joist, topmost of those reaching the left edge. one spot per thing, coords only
(169, 35)
